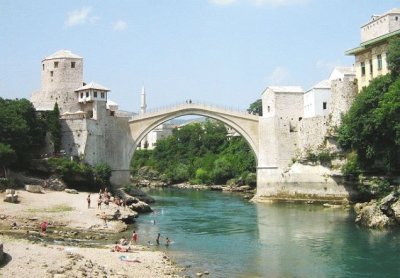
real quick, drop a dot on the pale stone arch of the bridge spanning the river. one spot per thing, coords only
(244, 123)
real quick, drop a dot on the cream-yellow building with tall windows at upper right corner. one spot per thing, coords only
(371, 54)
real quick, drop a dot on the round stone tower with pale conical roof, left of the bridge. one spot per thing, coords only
(61, 75)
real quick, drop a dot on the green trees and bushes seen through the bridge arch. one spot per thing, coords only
(199, 153)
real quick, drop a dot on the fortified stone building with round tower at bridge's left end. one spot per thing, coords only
(92, 127)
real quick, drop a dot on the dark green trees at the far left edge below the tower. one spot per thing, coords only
(21, 129)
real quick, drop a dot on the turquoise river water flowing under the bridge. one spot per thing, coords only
(230, 237)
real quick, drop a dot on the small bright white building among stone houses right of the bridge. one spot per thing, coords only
(316, 100)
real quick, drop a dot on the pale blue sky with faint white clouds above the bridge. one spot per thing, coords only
(221, 52)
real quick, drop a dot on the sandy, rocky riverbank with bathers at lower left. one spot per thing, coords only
(28, 252)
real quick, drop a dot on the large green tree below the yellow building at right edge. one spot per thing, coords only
(372, 126)
